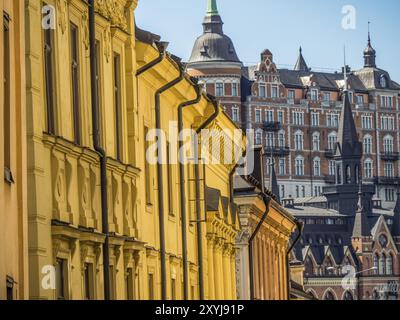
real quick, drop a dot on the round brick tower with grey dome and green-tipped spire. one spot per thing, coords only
(215, 63)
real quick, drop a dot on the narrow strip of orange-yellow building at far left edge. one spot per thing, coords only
(13, 208)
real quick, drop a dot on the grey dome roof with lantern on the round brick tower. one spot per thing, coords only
(213, 45)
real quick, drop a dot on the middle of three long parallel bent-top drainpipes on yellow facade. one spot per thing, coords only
(183, 191)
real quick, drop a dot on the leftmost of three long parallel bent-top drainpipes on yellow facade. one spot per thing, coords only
(161, 181)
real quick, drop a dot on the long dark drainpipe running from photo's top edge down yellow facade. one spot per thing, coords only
(100, 151)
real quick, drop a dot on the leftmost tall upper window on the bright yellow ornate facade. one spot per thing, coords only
(49, 49)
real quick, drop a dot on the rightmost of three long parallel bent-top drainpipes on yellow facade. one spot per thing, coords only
(198, 201)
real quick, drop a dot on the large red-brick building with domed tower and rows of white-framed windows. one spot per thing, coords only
(295, 113)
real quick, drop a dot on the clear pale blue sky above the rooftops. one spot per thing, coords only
(282, 26)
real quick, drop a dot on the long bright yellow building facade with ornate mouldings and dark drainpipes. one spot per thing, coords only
(103, 221)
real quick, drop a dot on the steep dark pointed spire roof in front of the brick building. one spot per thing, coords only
(348, 144)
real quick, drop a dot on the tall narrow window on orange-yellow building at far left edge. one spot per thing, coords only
(7, 100)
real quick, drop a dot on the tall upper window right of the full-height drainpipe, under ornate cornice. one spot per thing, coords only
(117, 105)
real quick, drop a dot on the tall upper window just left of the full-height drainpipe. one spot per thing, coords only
(75, 82)
